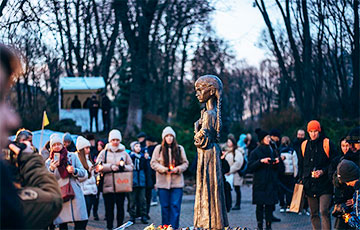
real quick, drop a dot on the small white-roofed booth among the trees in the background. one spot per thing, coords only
(83, 88)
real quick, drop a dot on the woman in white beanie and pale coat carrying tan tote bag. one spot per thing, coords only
(110, 158)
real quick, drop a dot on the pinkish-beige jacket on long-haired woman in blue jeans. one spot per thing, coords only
(164, 179)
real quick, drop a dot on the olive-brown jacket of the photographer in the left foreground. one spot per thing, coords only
(39, 194)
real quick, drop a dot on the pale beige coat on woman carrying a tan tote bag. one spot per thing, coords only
(113, 158)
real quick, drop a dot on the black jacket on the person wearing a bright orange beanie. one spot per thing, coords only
(315, 158)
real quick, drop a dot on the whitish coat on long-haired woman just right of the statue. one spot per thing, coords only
(235, 164)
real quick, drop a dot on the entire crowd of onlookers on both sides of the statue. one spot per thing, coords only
(62, 183)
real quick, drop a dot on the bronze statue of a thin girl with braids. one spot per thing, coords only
(209, 210)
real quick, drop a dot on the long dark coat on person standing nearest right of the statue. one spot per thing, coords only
(265, 182)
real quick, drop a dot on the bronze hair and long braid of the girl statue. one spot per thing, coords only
(216, 83)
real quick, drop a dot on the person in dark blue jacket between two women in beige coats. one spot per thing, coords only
(137, 197)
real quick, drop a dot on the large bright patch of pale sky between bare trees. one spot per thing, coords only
(240, 24)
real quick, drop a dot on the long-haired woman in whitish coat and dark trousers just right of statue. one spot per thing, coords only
(235, 157)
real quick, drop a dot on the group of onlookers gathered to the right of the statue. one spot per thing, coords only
(277, 165)
